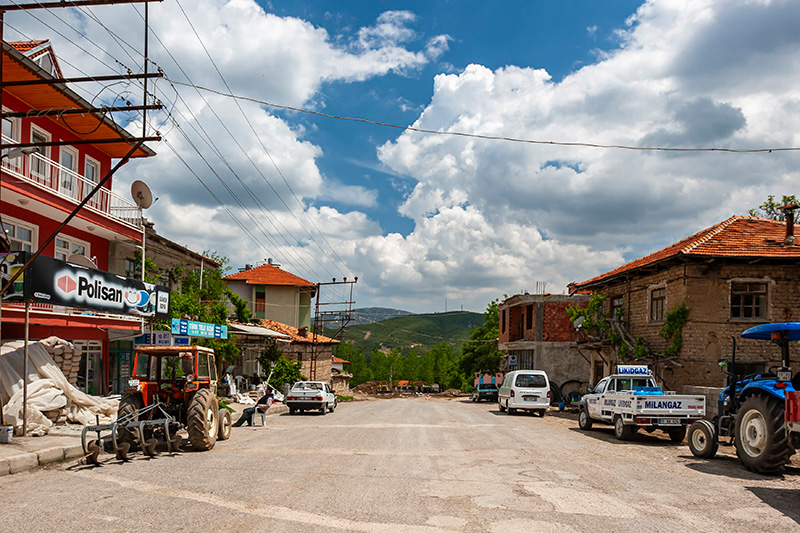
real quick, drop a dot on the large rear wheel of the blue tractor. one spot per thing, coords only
(761, 440)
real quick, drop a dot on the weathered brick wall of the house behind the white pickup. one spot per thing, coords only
(705, 289)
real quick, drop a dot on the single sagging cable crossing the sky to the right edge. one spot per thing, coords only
(491, 137)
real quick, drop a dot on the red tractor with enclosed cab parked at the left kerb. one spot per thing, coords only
(182, 380)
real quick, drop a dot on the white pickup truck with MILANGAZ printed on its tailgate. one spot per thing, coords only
(630, 399)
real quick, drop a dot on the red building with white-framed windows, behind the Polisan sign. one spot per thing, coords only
(39, 190)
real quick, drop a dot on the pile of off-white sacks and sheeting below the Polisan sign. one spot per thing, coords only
(48, 389)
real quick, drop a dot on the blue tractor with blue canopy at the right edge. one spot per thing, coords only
(752, 408)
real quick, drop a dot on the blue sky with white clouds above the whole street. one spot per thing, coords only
(443, 222)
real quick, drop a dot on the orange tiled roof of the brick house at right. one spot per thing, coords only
(739, 236)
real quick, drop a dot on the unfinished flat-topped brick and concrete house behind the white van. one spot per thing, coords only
(536, 333)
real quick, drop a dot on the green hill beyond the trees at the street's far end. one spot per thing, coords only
(417, 332)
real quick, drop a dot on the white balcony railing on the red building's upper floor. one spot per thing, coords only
(47, 174)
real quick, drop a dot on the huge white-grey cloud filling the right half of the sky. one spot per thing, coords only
(674, 81)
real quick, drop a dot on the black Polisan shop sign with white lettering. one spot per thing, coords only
(56, 282)
